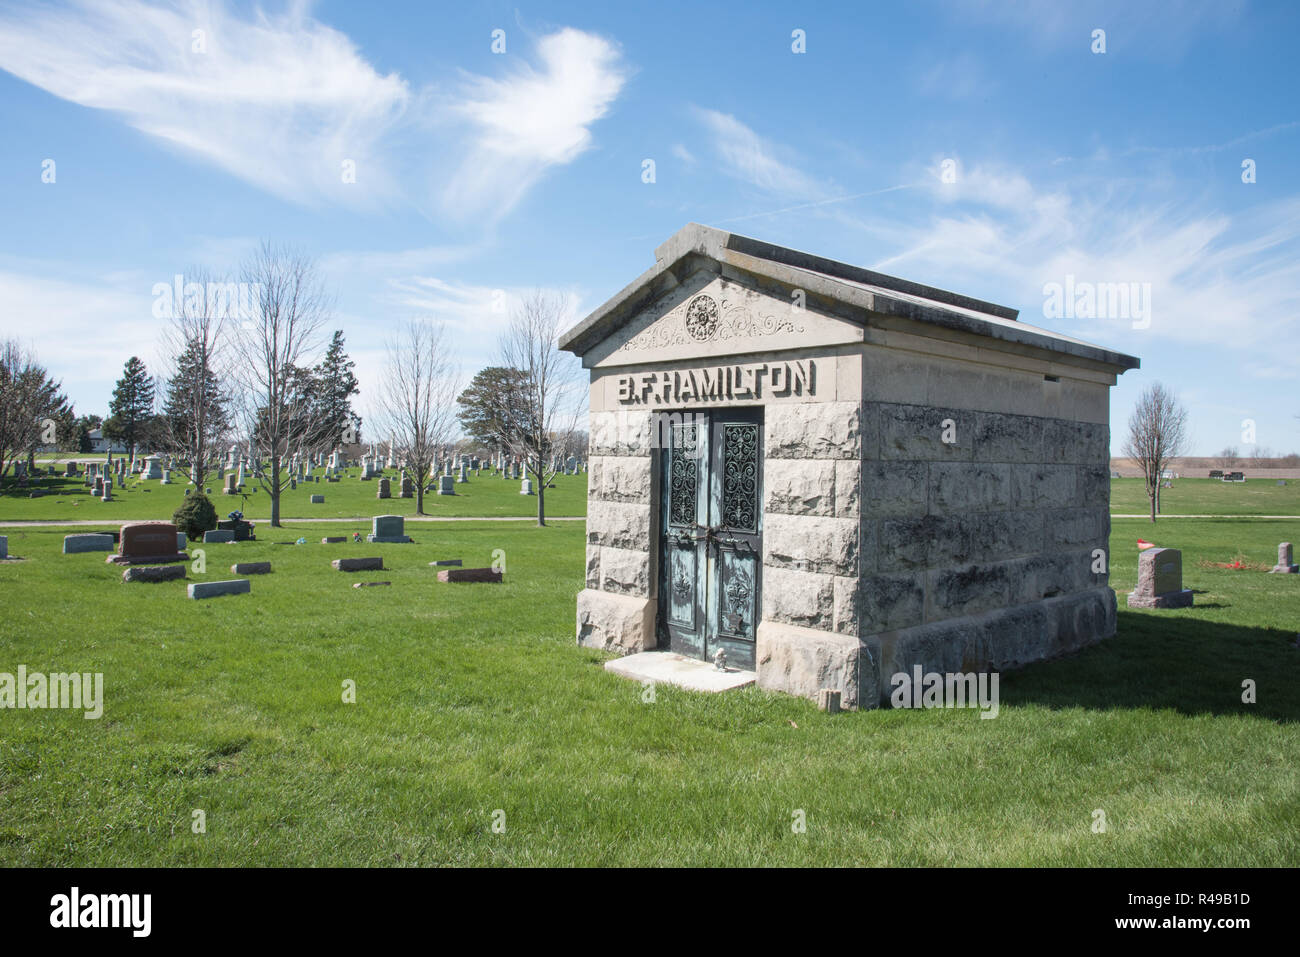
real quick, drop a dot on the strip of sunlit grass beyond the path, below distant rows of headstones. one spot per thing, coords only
(486, 496)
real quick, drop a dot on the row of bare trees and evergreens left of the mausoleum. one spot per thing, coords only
(252, 371)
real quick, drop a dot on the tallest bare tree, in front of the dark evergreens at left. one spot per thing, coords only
(272, 347)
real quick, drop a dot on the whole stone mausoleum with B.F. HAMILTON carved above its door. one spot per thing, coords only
(834, 475)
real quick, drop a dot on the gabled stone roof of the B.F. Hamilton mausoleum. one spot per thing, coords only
(865, 291)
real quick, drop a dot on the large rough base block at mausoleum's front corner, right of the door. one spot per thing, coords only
(803, 661)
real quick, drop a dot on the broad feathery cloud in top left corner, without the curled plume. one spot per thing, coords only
(279, 101)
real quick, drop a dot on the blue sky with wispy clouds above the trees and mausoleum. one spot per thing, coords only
(479, 172)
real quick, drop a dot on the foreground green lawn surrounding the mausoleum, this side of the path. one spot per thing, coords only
(475, 699)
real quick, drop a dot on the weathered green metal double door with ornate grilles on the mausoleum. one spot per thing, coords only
(712, 535)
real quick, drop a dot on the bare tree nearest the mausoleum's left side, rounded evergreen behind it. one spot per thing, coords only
(549, 388)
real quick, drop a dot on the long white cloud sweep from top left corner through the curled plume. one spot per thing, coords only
(292, 106)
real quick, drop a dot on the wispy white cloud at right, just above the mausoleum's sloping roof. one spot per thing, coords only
(1216, 278)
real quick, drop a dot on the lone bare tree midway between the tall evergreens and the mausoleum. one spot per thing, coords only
(418, 400)
